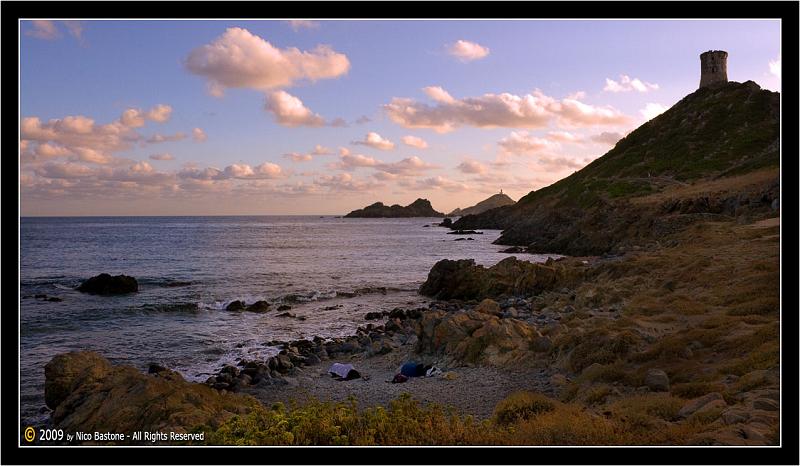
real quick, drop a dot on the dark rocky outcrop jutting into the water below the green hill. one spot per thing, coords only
(462, 279)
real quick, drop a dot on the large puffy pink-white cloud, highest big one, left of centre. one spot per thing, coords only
(240, 59)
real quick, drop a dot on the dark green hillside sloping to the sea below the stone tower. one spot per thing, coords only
(728, 131)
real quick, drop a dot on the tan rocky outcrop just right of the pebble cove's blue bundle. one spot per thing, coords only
(475, 337)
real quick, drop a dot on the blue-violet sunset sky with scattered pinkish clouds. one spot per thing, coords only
(302, 117)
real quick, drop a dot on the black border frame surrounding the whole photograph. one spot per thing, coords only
(787, 454)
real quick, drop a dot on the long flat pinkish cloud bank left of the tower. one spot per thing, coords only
(530, 111)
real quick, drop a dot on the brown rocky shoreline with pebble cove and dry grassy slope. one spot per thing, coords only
(590, 331)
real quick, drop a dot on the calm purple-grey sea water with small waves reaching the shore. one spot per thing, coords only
(331, 270)
